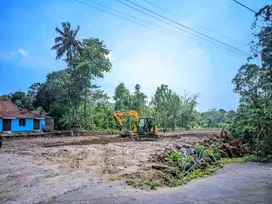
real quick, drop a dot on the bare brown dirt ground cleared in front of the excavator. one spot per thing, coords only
(35, 170)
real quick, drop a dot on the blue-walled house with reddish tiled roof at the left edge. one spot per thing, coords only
(16, 119)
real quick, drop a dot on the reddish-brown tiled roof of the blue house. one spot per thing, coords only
(9, 109)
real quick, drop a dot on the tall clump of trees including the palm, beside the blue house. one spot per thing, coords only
(69, 95)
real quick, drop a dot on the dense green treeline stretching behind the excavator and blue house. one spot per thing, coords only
(169, 109)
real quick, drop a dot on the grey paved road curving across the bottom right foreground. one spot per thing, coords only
(246, 183)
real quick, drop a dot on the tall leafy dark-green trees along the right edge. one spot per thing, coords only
(253, 83)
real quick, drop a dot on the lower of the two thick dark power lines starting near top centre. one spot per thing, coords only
(177, 27)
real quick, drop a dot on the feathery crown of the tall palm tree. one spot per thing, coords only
(66, 43)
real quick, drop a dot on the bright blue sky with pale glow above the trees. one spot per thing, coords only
(139, 54)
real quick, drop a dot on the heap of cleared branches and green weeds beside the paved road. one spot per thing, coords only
(178, 165)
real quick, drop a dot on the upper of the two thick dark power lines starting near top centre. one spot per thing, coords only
(186, 27)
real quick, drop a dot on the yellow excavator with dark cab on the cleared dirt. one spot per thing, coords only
(143, 128)
